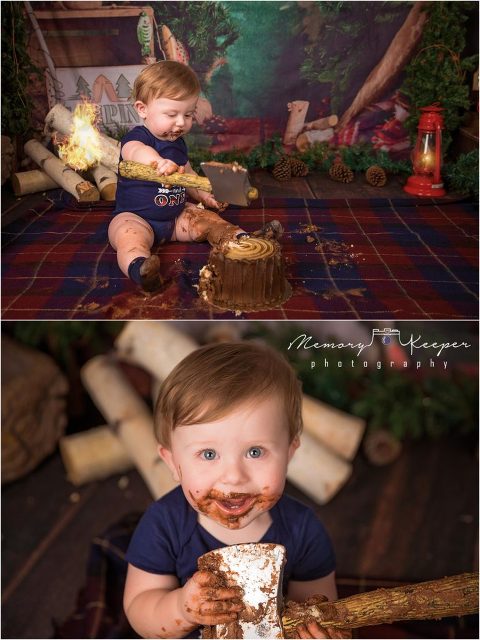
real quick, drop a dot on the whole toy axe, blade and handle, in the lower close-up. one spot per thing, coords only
(258, 569)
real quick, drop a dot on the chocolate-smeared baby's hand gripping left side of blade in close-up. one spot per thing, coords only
(204, 602)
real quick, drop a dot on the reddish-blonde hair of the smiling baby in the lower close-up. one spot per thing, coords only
(214, 380)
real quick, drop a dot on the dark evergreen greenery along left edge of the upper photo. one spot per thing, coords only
(17, 105)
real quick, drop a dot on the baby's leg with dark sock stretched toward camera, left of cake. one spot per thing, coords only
(132, 238)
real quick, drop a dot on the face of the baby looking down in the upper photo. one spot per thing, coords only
(168, 119)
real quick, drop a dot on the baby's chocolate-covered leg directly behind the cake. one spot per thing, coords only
(195, 224)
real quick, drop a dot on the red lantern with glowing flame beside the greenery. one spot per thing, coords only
(427, 155)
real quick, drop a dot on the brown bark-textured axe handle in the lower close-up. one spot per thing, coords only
(453, 596)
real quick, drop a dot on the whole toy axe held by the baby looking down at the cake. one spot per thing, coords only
(228, 182)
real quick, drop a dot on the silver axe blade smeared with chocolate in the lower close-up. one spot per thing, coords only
(258, 569)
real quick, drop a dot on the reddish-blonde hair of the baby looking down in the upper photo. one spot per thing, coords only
(165, 79)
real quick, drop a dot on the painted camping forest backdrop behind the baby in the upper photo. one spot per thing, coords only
(265, 67)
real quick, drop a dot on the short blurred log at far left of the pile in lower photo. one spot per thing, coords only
(93, 454)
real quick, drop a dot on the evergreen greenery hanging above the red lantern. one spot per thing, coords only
(438, 73)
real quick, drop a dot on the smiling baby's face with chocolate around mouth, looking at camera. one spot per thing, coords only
(233, 470)
